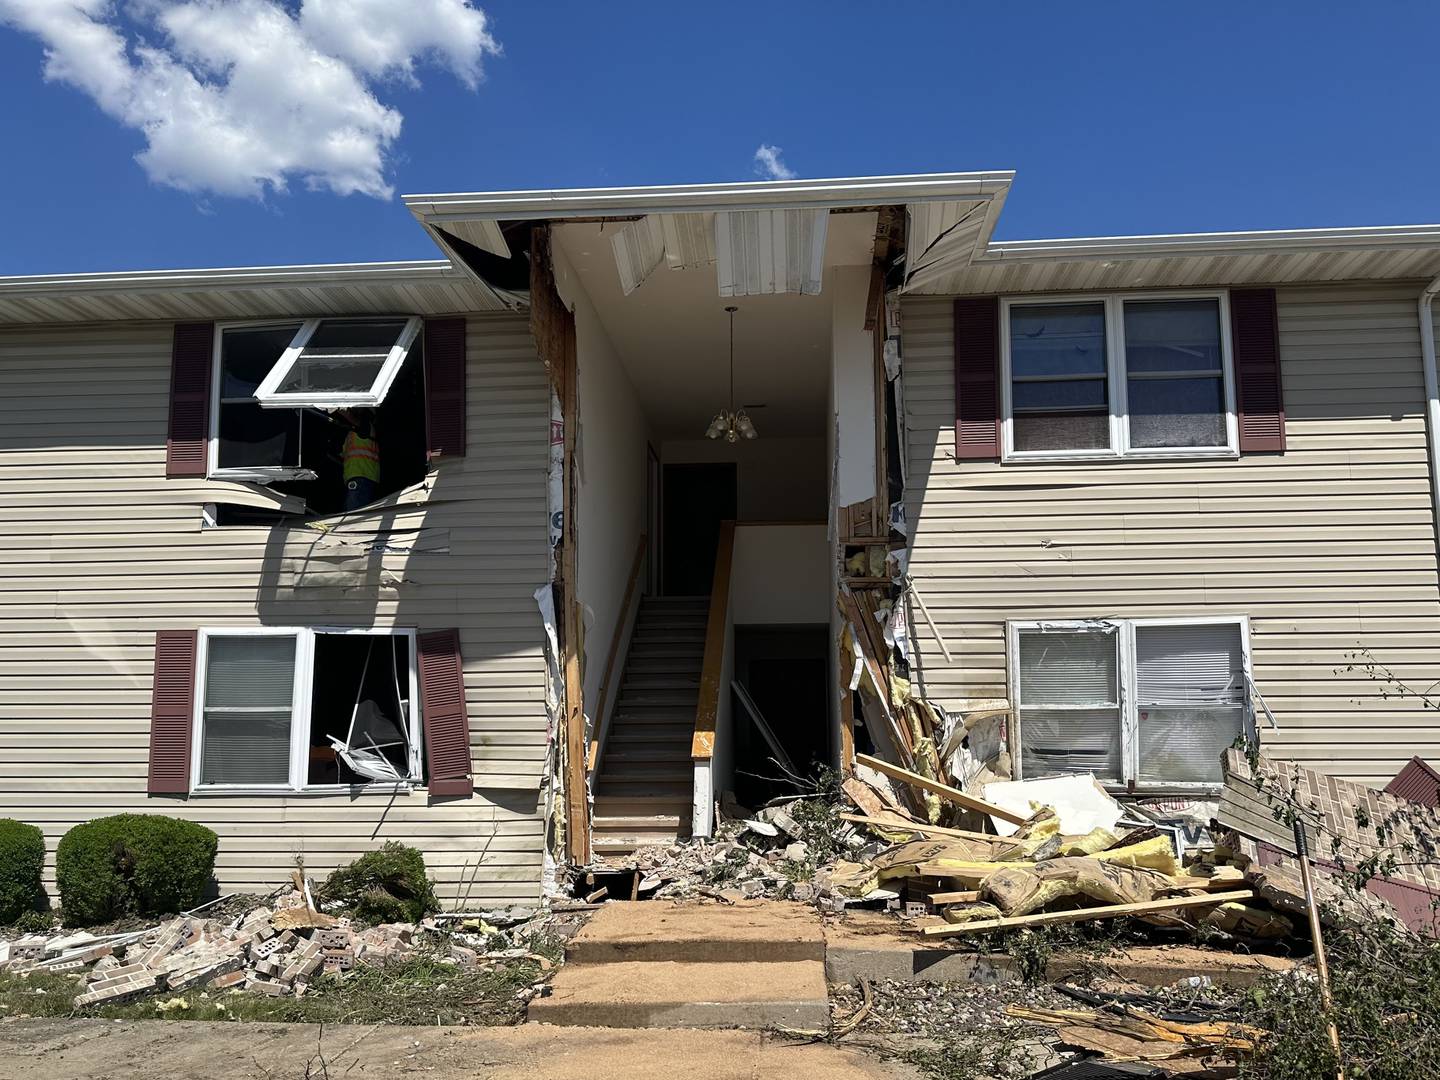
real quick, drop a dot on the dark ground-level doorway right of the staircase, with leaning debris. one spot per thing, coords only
(786, 670)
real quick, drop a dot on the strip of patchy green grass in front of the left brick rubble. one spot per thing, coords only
(420, 990)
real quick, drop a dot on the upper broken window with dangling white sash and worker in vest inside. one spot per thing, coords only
(313, 407)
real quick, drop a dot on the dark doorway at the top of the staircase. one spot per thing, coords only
(696, 500)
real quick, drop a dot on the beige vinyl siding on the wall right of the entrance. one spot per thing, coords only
(1328, 549)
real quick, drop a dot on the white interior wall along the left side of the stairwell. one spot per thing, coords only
(611, 454)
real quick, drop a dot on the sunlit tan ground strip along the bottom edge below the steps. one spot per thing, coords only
(179, 1050)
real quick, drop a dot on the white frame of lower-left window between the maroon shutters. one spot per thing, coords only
(302, 714)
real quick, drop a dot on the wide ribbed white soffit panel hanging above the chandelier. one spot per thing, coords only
(765, 253)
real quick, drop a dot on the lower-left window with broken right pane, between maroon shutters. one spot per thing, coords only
(294, 709)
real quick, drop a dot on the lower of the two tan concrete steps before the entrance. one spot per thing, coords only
(669, 994)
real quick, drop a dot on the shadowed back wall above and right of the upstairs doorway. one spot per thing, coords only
(780, 479)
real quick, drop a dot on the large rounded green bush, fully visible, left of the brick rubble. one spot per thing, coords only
(133, 865)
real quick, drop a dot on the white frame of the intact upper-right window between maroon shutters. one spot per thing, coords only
(1118, 382)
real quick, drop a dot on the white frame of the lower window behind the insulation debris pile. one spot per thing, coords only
(1124, 631)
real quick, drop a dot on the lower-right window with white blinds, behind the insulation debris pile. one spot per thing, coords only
(1151, 703)
